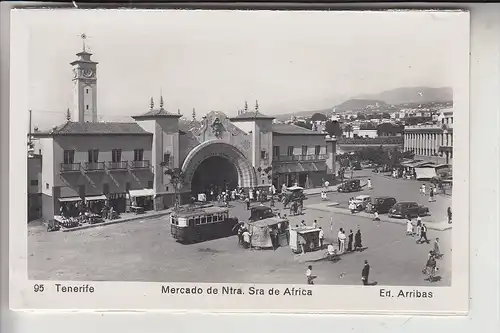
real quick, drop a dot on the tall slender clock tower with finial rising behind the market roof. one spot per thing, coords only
(84, 86)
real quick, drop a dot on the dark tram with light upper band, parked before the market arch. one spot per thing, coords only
(201, 224)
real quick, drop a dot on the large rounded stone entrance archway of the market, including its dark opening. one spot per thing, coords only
(215, 162)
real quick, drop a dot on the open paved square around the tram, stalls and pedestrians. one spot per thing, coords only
(145, 251)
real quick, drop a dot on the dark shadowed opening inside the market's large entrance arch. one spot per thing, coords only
(215, 173)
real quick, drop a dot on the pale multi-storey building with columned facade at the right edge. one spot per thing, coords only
(433, 141)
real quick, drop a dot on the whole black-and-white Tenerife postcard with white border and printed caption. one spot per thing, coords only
(260, 161)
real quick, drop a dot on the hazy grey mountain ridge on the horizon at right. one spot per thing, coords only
(413, 95)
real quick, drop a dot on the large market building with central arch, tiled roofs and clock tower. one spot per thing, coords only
(125, 164)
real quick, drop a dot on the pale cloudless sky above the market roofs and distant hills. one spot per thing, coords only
(288, 61)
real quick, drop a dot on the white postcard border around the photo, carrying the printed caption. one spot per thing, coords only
(142, 296)
